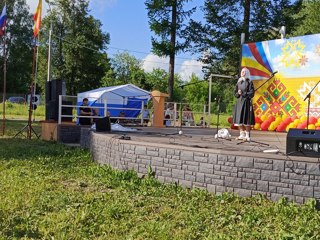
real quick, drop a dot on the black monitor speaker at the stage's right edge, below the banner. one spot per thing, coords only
(303, 142)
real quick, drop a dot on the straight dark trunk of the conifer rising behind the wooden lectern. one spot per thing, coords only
(172, 49)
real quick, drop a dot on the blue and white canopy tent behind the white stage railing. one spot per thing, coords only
(123, 98)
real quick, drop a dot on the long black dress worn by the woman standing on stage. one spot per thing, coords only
(243, 113)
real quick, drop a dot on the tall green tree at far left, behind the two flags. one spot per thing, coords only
(19, 47)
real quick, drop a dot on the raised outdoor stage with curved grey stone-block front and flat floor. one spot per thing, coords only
(196, 159)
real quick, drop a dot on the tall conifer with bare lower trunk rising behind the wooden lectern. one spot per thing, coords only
(168, 20)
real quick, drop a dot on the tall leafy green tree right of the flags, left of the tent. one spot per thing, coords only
(78, 46)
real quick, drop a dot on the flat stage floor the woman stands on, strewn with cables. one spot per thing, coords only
(263, 143)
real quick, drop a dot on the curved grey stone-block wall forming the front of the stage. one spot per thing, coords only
(215, 170)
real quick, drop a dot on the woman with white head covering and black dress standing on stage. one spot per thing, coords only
(243, 114)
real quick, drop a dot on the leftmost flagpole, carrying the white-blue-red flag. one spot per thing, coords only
(4, 81)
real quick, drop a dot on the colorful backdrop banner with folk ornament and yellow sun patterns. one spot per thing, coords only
(297, 63)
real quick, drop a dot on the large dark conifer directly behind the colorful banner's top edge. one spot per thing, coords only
(226, 20)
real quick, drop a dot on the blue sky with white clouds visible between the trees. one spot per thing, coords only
(127, 23)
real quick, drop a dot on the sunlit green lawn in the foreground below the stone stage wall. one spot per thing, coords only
(51, 191)
